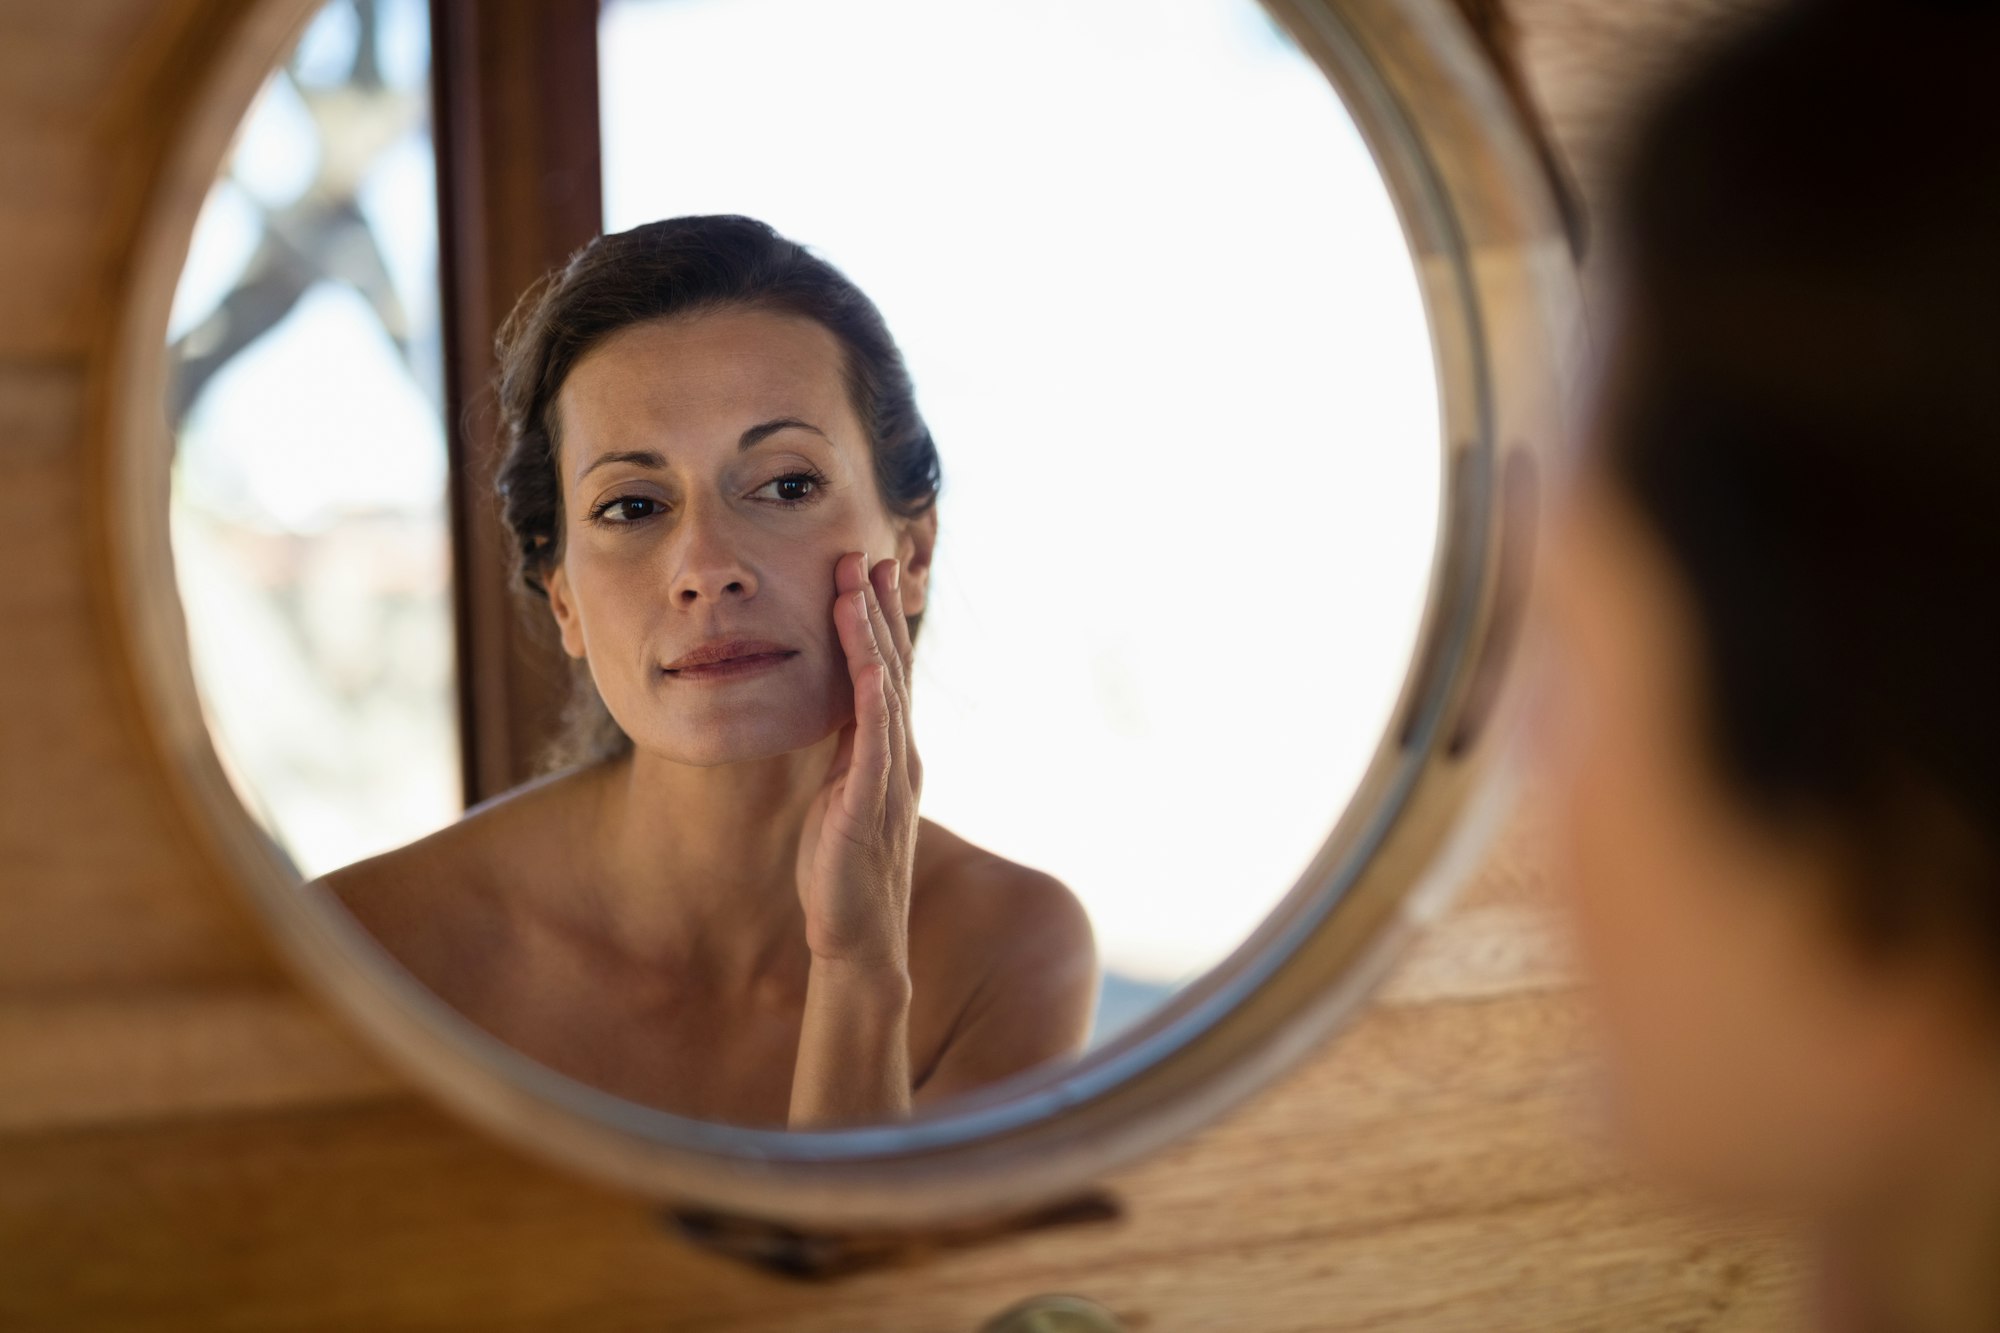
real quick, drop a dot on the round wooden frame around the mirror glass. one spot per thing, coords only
(1499, 283)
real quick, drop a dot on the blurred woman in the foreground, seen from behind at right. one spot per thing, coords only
(1775, 748)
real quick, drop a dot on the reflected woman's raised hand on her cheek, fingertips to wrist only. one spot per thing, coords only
(859, 848)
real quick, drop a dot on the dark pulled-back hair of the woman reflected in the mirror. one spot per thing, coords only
(679, 267)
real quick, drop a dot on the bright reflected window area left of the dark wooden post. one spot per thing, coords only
(309, 507)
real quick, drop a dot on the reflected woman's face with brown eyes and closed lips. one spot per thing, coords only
(713, 473)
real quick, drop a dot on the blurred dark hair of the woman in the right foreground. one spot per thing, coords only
(1807, 413)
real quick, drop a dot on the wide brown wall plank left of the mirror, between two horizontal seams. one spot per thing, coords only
(103, 882)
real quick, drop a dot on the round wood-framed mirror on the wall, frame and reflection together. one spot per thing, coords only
(1177, 363)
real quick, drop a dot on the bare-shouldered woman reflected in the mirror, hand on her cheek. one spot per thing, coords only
(725, 902)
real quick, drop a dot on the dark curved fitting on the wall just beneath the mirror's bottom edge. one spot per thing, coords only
(821, 1256)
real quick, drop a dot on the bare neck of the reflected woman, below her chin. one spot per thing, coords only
(697, 866)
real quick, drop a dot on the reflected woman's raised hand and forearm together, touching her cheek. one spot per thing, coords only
(857, 858)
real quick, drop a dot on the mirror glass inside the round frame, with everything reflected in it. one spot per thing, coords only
(983, 487)
